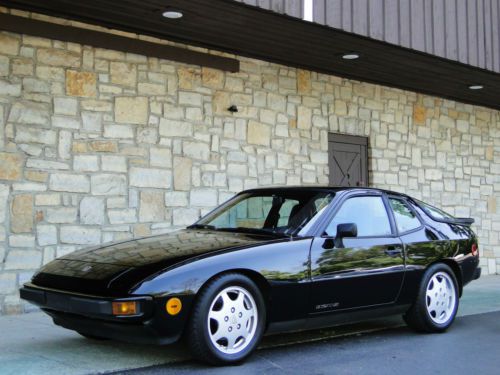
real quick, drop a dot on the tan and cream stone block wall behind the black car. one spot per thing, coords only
(99, 145)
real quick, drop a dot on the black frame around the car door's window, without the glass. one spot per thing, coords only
(330, 215)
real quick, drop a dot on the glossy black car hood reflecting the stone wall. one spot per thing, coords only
(113, 269)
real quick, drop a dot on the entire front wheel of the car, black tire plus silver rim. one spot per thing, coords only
(227, 321)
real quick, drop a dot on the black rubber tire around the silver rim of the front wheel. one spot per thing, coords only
(205, 303)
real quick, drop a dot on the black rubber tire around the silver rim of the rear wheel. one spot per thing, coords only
(427, 277)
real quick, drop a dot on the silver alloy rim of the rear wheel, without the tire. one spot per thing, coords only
(440, 297)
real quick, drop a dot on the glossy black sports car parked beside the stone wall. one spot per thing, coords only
(267, 261)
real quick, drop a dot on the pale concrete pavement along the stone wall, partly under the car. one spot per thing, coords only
(32, 344)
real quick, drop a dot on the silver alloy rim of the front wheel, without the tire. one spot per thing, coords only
(232, 320)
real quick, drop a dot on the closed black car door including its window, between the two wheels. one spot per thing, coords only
(364, 270)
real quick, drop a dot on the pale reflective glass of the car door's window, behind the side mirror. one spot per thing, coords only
(368, 213)
